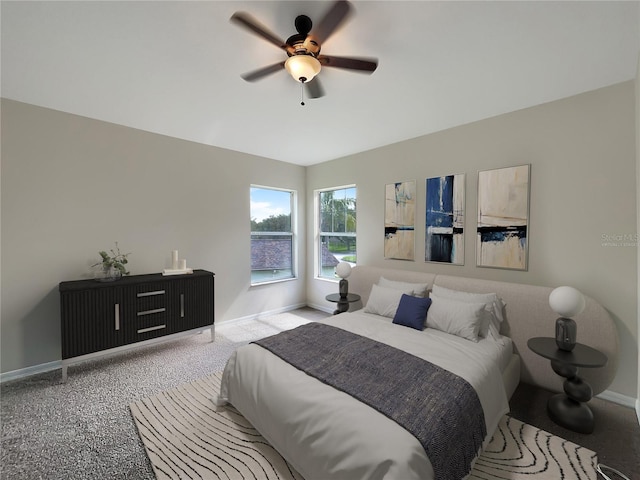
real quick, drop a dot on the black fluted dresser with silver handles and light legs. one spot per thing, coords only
(104, 317)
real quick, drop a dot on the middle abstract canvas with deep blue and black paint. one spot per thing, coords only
(444, 225)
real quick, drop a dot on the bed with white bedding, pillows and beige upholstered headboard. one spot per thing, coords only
(328, 431)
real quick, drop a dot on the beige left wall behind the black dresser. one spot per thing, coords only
(72, 186)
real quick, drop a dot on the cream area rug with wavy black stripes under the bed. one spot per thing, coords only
(186, 438)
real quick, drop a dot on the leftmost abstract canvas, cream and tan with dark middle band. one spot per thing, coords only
(399, 220)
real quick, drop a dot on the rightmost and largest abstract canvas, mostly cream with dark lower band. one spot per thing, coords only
(503, 218)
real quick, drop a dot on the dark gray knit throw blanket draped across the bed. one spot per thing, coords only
(438, 407)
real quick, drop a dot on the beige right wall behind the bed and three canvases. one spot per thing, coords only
(583, 186)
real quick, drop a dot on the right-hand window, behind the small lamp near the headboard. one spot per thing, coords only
(337, 229)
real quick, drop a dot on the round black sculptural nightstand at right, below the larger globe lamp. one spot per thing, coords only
(569, 409)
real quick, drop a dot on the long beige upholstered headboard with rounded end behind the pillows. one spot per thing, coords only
(527, 315)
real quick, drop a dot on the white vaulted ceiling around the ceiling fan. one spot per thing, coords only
(174, 67)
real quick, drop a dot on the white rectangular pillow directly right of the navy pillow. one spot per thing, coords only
(462, 319)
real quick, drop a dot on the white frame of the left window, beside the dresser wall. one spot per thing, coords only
(292, 234)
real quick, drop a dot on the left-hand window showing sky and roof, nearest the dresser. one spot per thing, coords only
(272, 235)
